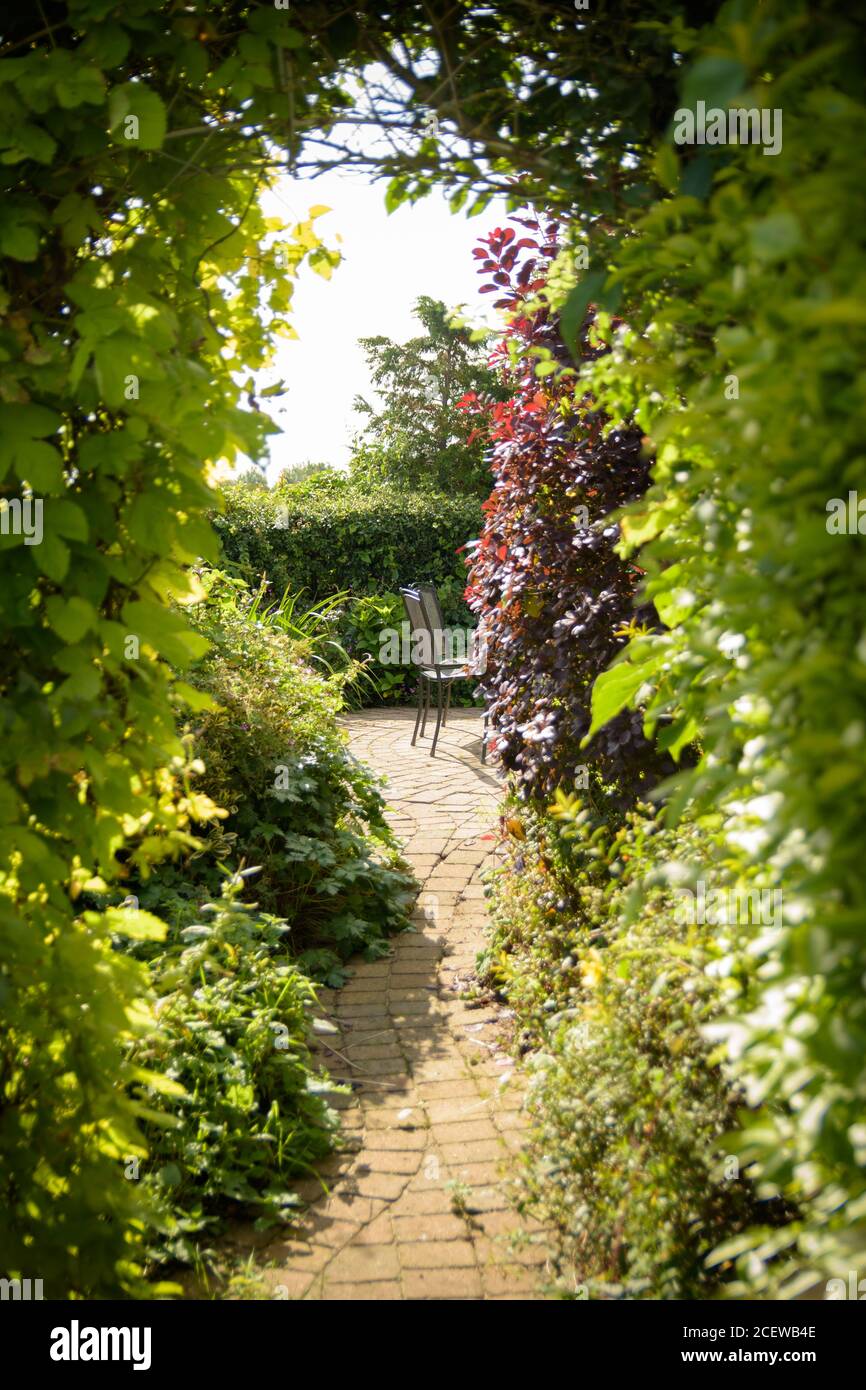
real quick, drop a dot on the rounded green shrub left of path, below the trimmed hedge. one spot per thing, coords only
(298, 804)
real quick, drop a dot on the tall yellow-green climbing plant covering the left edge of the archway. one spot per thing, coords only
(140, 280)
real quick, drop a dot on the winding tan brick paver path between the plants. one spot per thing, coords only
(420, 1207)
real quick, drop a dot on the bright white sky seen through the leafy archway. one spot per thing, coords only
(389, 262)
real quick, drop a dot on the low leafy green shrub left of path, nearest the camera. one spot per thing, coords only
(247, 1111)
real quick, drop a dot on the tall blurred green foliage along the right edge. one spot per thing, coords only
(743, 359)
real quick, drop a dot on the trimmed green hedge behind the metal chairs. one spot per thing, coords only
(332, 534)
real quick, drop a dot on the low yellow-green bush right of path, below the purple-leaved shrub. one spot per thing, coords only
(628, 1099)
